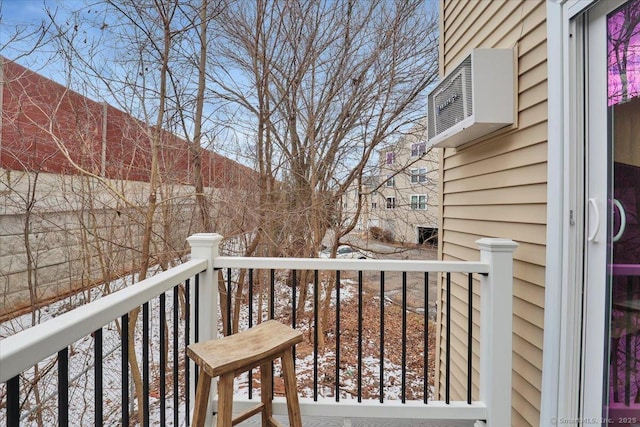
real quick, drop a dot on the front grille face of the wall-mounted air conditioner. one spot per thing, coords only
(452, 102)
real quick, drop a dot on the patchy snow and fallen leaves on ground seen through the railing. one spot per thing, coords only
(81, 369)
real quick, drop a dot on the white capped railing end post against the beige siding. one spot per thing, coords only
(496, 329)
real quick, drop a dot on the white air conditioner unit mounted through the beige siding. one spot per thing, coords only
(475, 99)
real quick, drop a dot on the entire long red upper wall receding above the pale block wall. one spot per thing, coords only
(42, 120)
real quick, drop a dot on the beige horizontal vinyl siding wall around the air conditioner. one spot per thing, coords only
(498, 188)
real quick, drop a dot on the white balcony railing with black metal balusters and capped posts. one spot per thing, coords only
(198, 319)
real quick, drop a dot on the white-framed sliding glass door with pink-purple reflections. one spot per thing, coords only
(611, 383)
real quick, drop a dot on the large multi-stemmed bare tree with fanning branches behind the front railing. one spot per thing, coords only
(321, 84)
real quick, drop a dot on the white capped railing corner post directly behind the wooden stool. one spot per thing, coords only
(205, 246)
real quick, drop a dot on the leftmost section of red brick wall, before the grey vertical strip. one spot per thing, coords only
(35, 113)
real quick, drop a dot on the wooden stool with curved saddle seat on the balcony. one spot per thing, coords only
(232, 355)
